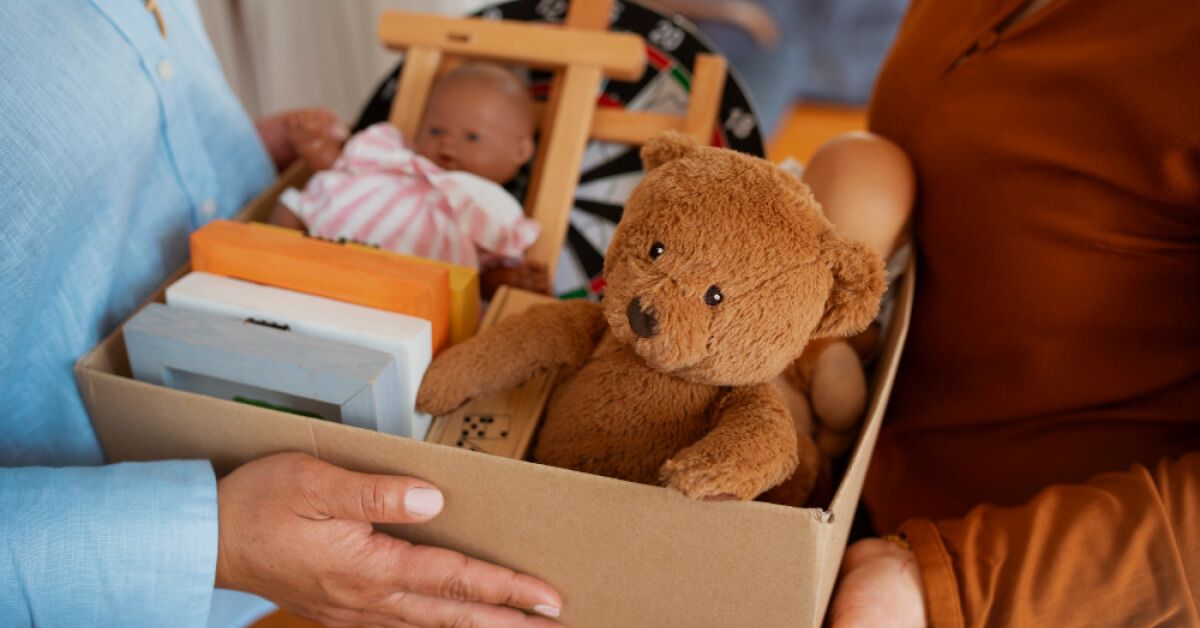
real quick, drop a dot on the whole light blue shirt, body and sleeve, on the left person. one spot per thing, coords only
(115, 145)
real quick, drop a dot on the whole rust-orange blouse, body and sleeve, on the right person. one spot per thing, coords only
(1057, 330)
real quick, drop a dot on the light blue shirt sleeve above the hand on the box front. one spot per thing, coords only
(131, 545)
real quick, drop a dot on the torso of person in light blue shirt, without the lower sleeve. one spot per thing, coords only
(116, 143)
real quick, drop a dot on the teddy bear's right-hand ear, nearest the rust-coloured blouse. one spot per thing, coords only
(859, 284)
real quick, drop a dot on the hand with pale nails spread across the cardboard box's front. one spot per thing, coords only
(298, 531)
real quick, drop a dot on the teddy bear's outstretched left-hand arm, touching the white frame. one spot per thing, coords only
(512, 352)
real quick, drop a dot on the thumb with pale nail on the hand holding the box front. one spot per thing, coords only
(344, 494)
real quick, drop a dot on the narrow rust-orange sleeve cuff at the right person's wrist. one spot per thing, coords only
(941, 588)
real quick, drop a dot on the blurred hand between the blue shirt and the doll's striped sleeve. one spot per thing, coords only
(314, 135)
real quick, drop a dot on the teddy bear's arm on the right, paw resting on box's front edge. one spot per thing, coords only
(752, 448)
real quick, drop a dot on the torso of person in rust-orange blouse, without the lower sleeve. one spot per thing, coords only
(1057, 330)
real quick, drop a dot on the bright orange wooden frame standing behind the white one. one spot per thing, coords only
(287, 259)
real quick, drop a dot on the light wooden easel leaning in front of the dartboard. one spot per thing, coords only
(581, 53)
